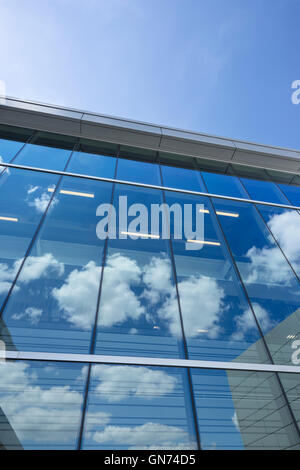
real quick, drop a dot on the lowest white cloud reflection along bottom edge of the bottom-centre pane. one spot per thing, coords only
(146, 436)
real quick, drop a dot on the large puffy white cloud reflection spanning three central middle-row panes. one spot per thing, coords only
(201, 297)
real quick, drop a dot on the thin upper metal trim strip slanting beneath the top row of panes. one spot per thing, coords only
(150, 186)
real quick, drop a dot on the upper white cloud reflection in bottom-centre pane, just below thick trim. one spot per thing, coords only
(119, 382)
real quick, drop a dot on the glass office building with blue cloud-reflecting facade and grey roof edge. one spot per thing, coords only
(137, 342)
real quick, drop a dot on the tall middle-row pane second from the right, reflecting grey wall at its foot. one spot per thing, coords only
(270, 282)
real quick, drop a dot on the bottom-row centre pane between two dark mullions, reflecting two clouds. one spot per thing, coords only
(133, 407)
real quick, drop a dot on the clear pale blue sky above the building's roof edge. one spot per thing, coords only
(222, 67)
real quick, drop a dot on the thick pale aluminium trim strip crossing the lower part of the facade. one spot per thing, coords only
(147, 361)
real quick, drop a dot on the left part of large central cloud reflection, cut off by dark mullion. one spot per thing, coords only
(77, 297)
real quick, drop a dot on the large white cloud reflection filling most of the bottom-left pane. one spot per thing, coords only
(41, 414)
